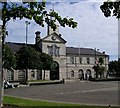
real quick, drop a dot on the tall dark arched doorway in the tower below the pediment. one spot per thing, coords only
(54, 71)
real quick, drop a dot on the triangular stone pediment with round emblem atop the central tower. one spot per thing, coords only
(54, 37)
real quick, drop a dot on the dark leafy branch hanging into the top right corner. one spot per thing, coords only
(110, 8)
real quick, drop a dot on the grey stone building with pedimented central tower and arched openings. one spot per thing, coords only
(70, 62)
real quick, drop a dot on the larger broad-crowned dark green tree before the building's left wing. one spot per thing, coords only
(27, 58)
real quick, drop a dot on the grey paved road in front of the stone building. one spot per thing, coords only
(103, 93)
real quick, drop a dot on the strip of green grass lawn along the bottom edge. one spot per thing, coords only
(23, 103)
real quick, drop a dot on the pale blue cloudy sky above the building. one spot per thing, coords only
(93, 30)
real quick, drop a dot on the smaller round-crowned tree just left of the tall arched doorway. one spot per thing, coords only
(46, 61)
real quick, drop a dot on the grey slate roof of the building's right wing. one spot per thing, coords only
(83, 51)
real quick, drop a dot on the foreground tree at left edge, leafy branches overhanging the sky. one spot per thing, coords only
(33, 11)
